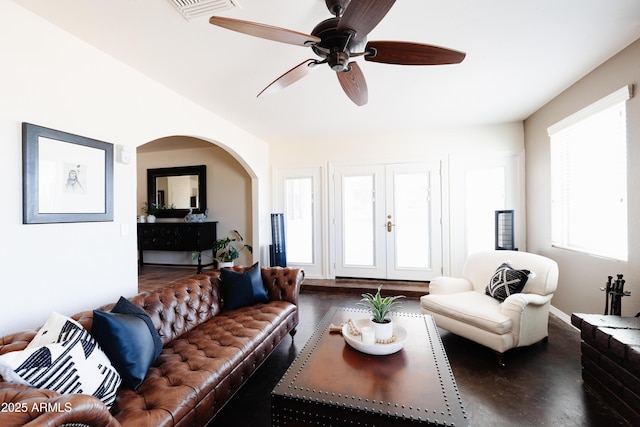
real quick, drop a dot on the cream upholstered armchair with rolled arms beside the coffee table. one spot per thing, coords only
(460, 305)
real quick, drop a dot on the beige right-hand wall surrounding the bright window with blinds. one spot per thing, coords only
(581, 276)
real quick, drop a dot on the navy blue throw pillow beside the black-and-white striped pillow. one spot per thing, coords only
(129, 339)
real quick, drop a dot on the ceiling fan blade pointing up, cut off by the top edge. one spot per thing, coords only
(362, 16)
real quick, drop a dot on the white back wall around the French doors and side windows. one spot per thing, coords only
(458, 149)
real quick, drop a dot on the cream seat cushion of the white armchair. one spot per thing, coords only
(471, 307)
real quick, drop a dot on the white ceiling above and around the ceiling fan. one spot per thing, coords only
(520, 54)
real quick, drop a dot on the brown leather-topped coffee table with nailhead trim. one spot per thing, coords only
(332, 384)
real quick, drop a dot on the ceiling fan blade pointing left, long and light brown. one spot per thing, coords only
(265, 31)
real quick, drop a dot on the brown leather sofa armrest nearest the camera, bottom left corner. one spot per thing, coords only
(31, 407)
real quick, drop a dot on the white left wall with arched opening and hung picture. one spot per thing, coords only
(52, 79)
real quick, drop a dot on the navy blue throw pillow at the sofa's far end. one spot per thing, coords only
(240, 289)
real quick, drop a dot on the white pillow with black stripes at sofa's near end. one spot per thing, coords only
(64, 357)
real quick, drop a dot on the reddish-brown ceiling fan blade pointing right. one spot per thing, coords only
(405, 53)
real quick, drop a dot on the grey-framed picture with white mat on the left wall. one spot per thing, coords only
(65, 177)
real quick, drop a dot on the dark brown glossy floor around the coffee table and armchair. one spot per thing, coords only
(541, 384)
